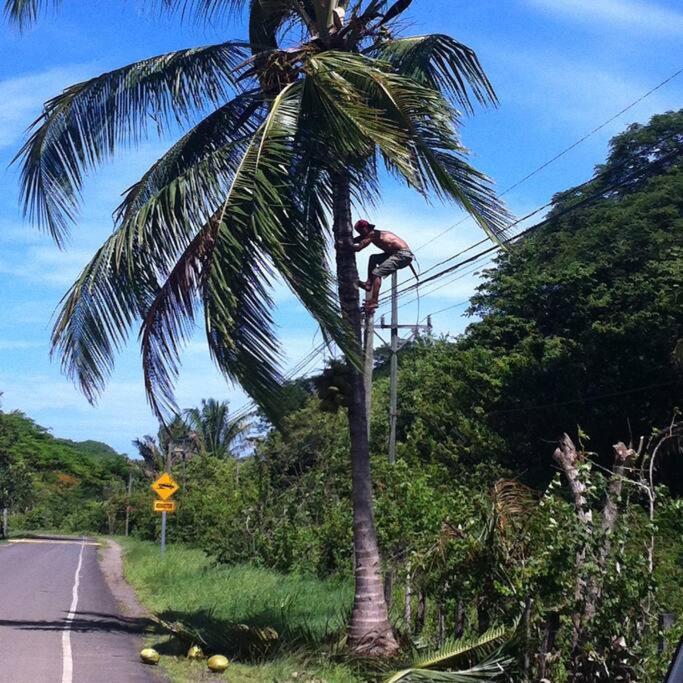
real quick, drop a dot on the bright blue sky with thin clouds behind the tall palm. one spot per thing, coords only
(560, 67)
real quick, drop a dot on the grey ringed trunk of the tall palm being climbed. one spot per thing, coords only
(370, 631)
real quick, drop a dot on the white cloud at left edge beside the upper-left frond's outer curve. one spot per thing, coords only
(22, 98)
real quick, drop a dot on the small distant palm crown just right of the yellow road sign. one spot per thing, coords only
(216, 431)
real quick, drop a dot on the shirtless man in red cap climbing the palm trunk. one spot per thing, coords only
(395, 255)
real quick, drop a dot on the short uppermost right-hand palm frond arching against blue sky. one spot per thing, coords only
(442, 63)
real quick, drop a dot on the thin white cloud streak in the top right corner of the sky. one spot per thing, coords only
(643, 16)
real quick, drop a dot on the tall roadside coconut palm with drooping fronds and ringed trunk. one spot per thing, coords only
(296, 124)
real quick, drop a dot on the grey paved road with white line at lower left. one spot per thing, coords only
(59, 623)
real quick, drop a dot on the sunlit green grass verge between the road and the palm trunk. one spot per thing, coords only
(189, 590)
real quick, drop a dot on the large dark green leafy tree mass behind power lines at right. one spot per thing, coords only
(583, 316)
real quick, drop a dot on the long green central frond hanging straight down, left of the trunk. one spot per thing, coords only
(237, 305)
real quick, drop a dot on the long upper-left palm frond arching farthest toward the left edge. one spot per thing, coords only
(86, 123)
